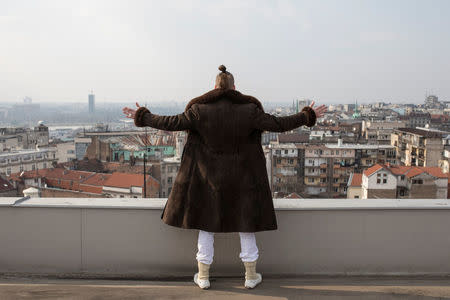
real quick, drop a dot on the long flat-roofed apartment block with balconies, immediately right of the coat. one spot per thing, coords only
(320, 170)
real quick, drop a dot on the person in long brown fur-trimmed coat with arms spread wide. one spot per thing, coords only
(222, 183)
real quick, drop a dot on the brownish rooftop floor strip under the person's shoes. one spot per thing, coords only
(313, 287)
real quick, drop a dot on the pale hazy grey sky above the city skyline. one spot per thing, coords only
(277, 50)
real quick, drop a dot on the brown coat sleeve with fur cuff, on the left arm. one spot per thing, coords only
(184, 121)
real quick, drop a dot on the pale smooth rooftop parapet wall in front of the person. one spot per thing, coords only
(126, 238)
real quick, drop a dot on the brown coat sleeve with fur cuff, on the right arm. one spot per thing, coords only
(268, 122)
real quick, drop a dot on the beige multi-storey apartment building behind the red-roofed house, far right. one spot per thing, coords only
(418, 147)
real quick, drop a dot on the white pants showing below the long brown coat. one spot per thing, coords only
(249, 250)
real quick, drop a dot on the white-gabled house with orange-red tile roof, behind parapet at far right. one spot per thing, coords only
(387, 181)
